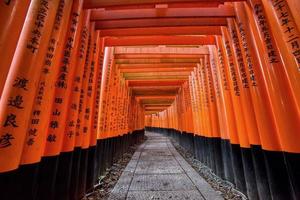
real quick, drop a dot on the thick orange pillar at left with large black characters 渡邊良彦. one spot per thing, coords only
(21, 84)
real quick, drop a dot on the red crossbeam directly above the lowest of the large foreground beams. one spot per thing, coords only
(182, 30)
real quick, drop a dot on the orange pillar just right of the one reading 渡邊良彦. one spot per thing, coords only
(35, 133)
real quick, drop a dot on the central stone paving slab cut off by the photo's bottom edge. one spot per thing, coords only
(164, 195)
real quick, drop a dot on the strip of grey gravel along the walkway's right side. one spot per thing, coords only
(225, 188)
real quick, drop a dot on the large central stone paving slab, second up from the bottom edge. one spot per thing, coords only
(161, 182)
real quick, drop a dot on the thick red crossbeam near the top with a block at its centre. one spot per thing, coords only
(223, 11)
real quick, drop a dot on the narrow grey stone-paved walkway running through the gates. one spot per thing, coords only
(158, 171)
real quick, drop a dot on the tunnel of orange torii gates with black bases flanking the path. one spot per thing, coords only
(81, 79)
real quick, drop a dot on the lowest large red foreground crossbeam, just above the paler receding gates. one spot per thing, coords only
(159, 40)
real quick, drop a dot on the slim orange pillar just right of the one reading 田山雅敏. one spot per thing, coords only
(72, 138)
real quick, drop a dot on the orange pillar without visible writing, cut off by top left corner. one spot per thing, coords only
(10, 29)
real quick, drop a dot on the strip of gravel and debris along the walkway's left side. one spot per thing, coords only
(112, 175)
